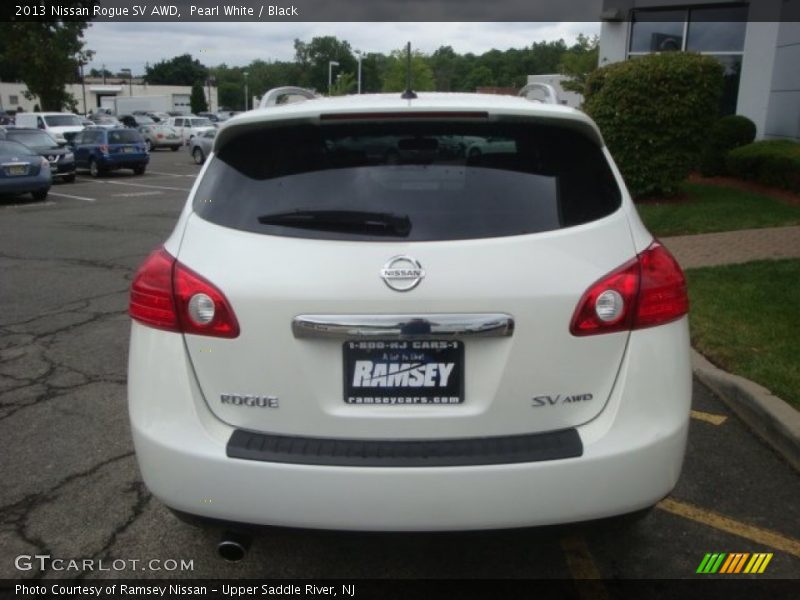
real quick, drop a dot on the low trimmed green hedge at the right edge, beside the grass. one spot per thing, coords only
(771, 162)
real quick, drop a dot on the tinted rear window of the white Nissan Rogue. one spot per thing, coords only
(438, 181)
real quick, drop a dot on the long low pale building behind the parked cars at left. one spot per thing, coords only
(95, 93)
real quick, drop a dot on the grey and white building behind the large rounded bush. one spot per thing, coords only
(758, 42)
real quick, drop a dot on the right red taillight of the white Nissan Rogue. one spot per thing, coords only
(646, 291)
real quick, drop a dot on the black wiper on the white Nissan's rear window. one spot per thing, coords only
(345, 221)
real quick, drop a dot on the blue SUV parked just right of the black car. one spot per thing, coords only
(101, 150)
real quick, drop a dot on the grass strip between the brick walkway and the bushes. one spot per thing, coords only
(709, 208)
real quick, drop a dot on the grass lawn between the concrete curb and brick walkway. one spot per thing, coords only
(746, 319)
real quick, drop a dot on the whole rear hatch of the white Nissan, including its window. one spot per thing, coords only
(389, 284)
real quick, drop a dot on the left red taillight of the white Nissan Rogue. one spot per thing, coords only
(167, 295)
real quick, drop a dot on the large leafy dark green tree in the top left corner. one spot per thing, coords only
(50, 52)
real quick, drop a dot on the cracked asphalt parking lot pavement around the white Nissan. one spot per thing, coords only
(71, 487)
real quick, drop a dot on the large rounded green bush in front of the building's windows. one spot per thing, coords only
(654, 113)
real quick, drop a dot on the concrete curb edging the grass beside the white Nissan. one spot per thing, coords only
(771, 418)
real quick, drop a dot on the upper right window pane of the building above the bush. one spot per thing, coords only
(717, 29)
